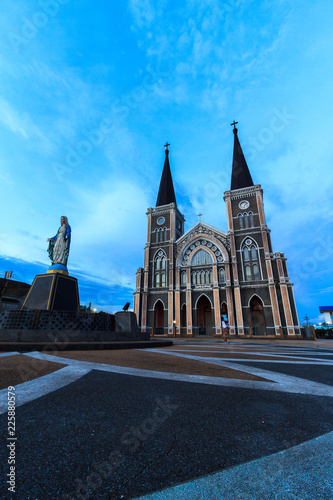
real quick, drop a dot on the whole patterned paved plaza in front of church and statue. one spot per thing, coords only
(196, 420)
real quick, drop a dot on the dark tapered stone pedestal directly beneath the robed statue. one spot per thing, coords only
(53, 291)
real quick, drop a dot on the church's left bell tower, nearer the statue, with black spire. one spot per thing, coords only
(155, 282)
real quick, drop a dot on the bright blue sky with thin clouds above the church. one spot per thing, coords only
(89, 94)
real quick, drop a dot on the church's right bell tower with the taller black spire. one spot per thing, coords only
(264, 301)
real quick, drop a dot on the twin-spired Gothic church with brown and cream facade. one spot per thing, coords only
(190, 278)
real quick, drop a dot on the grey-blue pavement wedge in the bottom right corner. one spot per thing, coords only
(305, 470)
